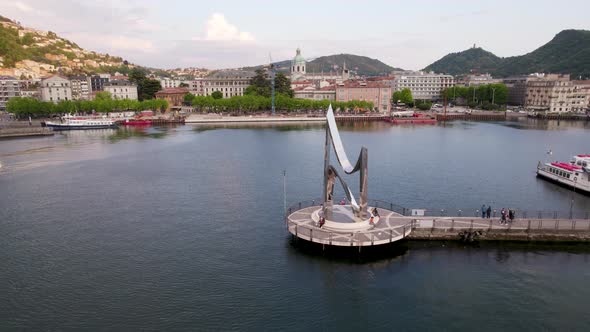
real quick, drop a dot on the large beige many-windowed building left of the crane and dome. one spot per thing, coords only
(229, 82)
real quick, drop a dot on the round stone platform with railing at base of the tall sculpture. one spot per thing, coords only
(342, 230)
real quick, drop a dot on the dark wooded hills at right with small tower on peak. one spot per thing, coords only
(568, 52)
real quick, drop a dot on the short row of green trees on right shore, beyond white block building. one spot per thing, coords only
(487, 96)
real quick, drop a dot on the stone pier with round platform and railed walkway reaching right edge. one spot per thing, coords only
(394, 224)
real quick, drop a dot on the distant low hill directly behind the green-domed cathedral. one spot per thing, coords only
(362, 64)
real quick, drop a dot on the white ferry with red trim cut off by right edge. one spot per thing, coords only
(574, 175)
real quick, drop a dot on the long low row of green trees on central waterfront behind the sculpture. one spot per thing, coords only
(254, 103)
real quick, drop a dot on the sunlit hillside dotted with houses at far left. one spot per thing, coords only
(26, 52)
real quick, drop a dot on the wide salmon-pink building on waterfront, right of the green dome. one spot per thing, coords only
(377, 92)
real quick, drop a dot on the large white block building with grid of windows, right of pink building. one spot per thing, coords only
(424, 86)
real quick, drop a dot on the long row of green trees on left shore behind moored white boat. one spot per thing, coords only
(103, 103)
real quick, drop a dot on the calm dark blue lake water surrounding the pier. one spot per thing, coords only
(181, 228)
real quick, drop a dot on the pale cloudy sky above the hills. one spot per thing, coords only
(229, 34)
